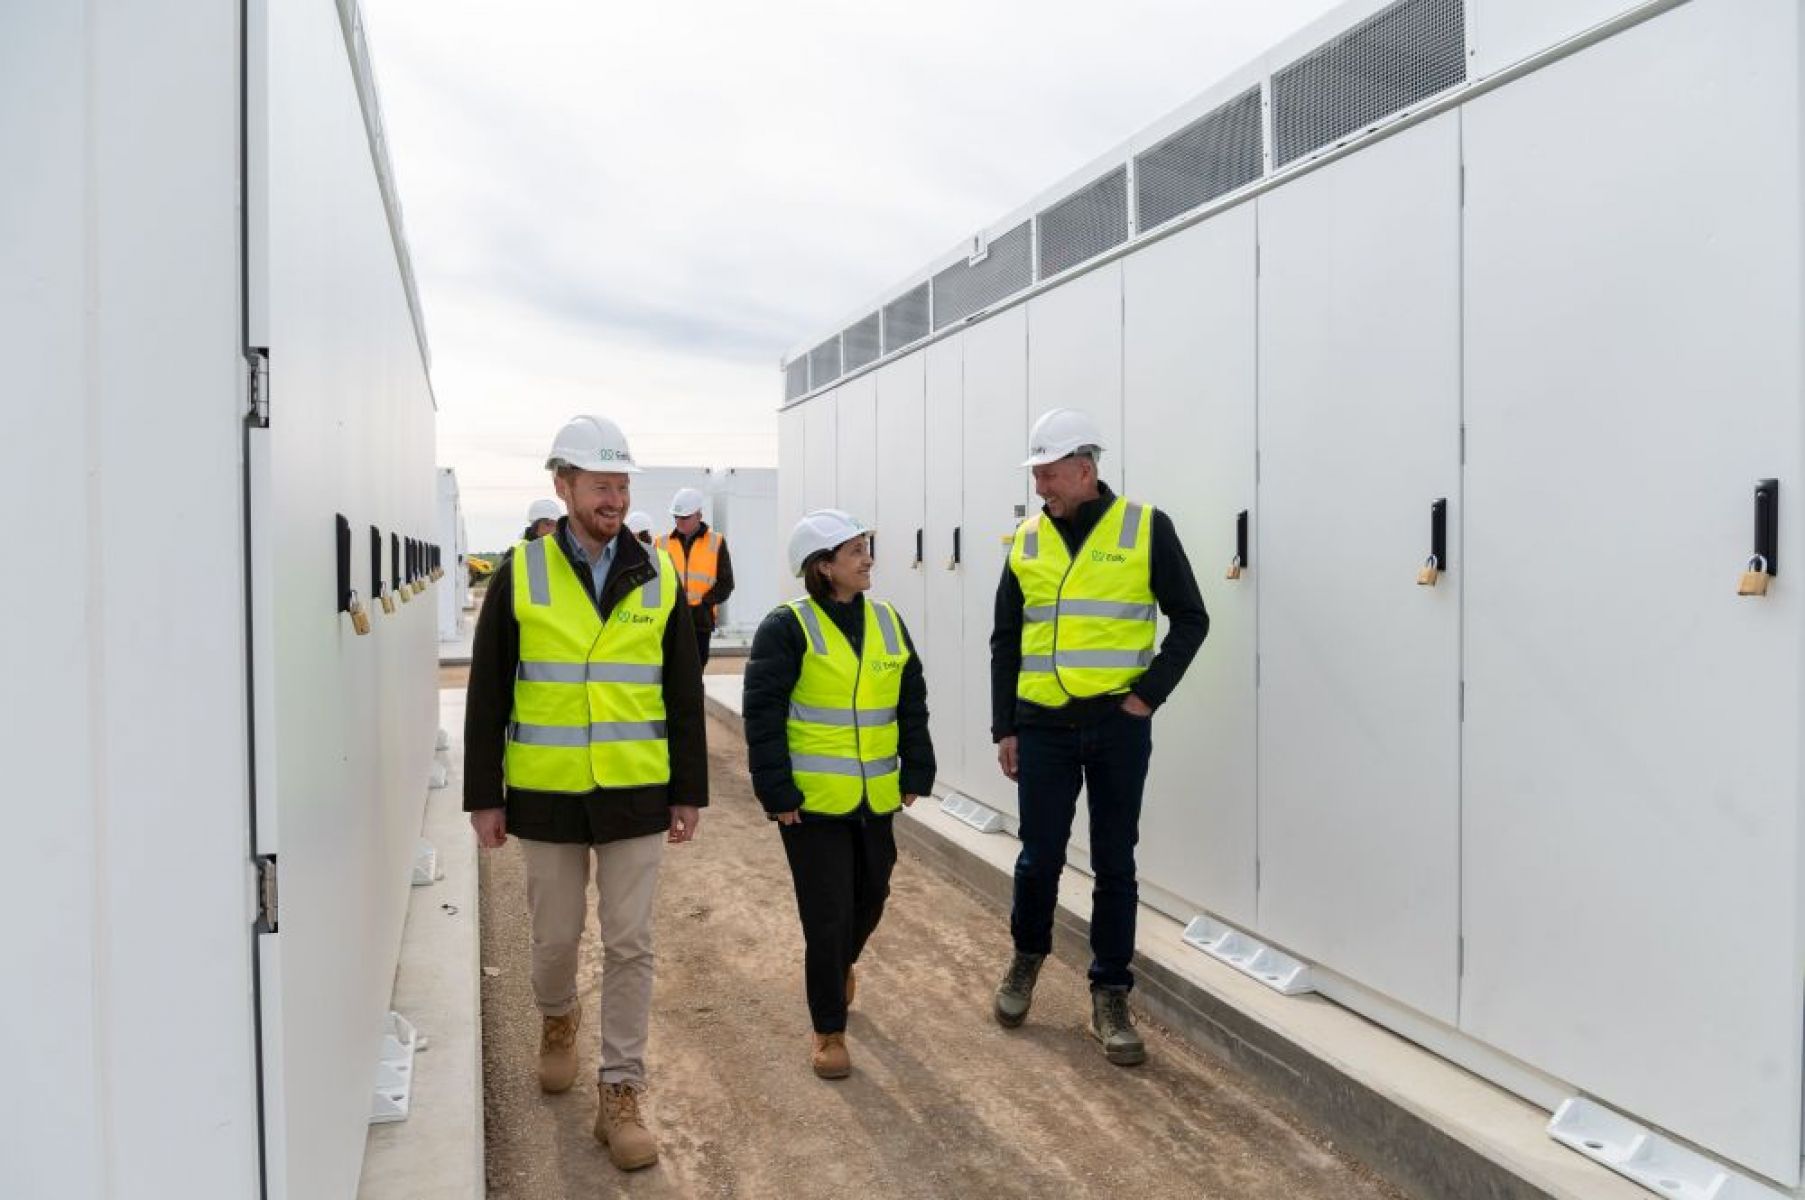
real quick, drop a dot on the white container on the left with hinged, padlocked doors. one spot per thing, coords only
(196, 705)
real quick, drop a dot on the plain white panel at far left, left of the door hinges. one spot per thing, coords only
(127, 1026)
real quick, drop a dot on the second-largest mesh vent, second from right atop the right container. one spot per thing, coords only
(1203, 162)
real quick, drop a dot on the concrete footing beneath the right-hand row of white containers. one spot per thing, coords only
(1425, 1123)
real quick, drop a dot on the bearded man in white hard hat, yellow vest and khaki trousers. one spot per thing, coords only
(584, 737)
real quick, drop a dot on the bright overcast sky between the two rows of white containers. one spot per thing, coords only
(636, 210)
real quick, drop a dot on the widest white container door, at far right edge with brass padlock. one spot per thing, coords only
(1633, 741)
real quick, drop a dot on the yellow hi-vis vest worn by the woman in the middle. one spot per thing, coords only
(844, 712)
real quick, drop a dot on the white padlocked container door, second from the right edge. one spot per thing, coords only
(1360, 439)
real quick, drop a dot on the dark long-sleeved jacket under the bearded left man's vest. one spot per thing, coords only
(604, 815)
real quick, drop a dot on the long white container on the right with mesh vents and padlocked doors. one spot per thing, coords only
(1533, 306)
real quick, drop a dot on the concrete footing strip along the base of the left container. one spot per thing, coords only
(438, 1152)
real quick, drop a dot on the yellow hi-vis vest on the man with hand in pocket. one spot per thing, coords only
(1088, 623)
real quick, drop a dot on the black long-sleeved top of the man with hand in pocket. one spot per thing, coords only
(1174, 589)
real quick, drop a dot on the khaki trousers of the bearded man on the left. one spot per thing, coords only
(627, 874)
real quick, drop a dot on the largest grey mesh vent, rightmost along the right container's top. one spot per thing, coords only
(1393, 60)
